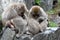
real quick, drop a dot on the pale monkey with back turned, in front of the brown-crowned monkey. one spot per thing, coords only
(34, 27)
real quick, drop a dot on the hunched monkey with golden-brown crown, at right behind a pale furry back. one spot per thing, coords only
(37, 13)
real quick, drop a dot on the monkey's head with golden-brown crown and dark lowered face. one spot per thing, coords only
(35, 12)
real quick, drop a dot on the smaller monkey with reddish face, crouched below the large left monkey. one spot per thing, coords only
(17, 24)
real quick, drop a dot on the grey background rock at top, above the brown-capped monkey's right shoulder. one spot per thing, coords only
(46, 4)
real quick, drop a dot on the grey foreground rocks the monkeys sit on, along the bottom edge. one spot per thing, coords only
(48, 34)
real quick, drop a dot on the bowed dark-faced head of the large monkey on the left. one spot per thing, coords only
(20, 8)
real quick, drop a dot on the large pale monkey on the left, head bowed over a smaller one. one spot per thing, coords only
(14, 10)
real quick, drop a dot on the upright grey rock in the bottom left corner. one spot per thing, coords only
(8, 34)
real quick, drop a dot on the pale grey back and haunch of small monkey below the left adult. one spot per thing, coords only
(20, 24)
